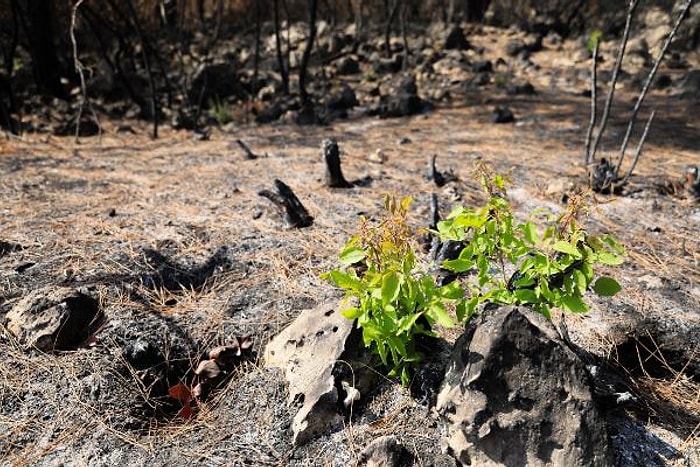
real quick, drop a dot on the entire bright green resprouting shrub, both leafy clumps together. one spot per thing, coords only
(503, 262)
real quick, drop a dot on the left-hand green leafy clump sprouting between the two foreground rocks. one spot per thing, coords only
(395, 300)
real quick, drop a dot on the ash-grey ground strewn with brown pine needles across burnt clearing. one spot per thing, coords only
(183, 255)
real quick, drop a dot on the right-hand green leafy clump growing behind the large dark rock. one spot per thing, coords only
(516, 263)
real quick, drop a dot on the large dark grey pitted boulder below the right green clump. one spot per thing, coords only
(516, 394)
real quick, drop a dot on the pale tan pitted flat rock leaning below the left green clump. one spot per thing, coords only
(308, 350)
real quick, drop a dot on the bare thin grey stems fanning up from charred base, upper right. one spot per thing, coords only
(604, 176)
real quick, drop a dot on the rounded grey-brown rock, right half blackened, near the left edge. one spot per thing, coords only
(53, 318)
